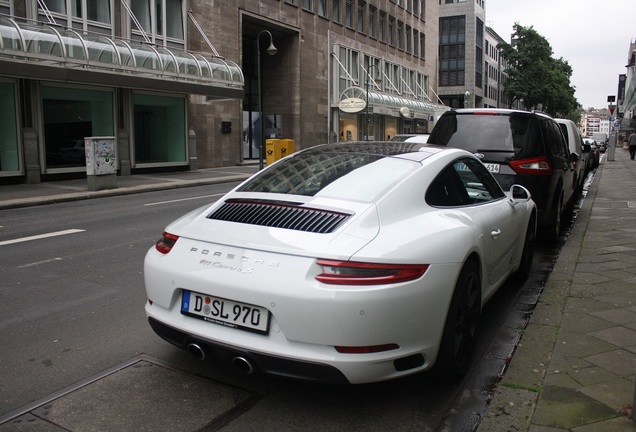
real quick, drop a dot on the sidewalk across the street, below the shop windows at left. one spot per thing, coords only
(23, 195)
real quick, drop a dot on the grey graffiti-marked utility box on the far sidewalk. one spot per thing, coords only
(101, 162)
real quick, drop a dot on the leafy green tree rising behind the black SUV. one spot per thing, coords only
(535, 78)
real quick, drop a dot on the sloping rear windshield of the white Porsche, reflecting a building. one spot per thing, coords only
(356, 177)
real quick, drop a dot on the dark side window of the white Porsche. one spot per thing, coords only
(466, 182)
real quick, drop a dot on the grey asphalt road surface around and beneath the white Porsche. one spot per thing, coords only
(71, 306)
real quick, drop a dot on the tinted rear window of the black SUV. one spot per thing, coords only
(516, 134)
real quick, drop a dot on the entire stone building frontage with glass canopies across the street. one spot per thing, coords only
(181, 84)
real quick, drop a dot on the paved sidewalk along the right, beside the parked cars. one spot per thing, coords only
(575, 366)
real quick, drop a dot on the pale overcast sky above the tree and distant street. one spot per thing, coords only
(592, 35)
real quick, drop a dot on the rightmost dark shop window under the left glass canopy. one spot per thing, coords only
(159, 130)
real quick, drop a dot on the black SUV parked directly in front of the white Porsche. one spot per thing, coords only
(526, 148)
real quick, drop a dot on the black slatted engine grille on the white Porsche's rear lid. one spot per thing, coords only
(279, 215)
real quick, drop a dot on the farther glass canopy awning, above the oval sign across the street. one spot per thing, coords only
(397, 106)
